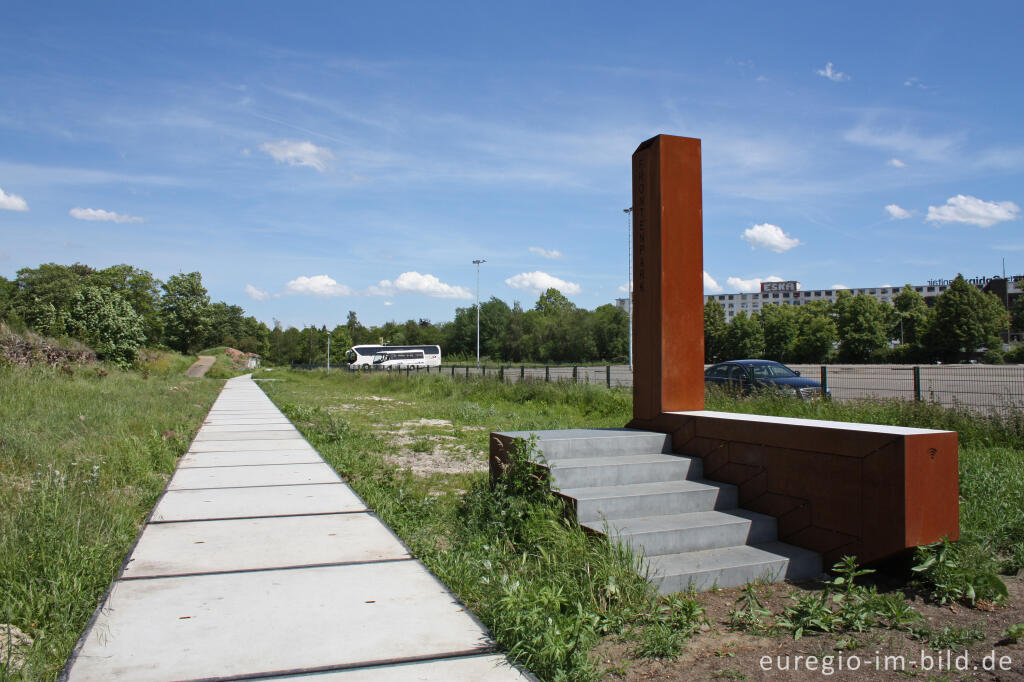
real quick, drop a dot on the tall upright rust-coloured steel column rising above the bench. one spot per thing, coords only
(668, 261)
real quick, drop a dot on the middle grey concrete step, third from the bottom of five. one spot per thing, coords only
(636, 500)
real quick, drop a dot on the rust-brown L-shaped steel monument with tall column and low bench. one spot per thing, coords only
(835, 488)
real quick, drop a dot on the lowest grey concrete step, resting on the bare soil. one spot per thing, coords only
(732, 567)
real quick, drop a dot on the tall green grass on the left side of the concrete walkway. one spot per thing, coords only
(84, 453)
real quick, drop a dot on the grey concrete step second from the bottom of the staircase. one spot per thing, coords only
(673, 534)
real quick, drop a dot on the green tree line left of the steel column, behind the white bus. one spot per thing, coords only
(119, 310)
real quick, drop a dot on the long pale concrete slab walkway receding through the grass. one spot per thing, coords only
(260, 563)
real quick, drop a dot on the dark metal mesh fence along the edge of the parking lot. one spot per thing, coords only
(982, 388)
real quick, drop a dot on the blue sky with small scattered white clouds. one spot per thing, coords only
(315, 159)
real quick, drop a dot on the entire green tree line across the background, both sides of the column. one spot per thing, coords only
(119, 310)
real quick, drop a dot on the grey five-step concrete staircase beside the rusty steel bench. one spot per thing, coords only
(628, 485)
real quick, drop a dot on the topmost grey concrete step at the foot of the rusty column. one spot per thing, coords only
(567, 444)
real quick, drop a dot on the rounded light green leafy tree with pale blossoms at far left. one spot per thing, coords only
(107, 323)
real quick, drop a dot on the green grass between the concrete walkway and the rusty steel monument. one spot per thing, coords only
(547, 590)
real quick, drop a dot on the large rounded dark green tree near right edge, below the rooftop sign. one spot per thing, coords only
(966, 320)
